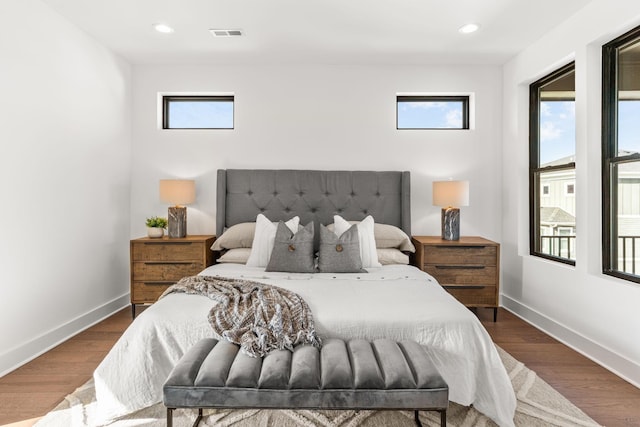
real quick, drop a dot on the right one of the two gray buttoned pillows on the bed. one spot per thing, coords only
(340, 254)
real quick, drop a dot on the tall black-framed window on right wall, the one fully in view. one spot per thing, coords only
(552, 169)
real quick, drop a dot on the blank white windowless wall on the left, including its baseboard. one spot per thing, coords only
(65, 135)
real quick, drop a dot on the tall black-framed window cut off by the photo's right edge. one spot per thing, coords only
(621, 156)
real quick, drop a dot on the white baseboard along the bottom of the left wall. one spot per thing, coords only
(18, 356)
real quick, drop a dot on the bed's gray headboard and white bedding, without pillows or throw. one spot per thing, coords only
(395, 301)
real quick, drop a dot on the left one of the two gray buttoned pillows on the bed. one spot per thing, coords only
(292, 253)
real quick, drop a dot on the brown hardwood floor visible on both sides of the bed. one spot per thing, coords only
(37, 387)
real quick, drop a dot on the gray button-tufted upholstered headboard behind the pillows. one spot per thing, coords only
(313, 195)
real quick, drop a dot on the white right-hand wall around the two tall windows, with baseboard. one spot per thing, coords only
(596, 314)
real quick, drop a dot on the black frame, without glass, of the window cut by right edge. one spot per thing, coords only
(610, 154)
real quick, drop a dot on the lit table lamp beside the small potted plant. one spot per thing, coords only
(177, 192)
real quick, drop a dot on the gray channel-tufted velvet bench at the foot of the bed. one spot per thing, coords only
(357, 374)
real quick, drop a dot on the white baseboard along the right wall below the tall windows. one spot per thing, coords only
(607, 358)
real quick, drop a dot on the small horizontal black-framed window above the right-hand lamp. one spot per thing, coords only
(432, 112)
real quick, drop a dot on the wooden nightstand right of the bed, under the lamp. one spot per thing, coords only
(468, 268)
